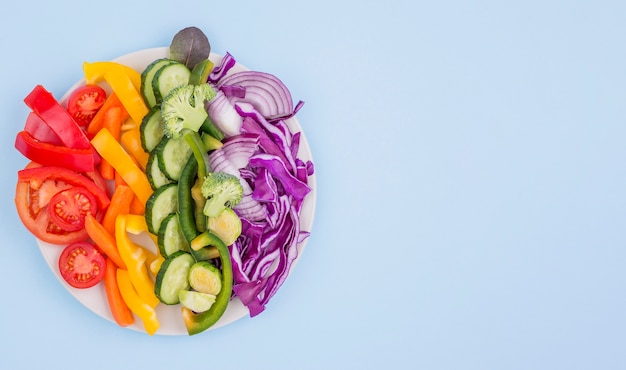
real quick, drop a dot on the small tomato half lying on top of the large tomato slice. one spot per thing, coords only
(68, 208)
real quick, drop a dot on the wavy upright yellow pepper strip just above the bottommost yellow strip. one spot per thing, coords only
(135, 258)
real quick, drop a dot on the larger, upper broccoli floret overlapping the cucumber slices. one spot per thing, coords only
(184, 107)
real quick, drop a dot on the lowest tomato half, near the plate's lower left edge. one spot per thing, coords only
(81, 265)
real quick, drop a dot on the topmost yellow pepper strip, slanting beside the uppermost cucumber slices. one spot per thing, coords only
(129, 95)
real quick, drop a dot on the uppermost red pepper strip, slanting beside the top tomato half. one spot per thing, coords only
(57, 118)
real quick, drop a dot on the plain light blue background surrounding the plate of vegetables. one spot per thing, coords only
(471, 180)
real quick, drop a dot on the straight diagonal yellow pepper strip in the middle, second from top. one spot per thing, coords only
(112, 151)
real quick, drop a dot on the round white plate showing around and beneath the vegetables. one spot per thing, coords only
(170, 316)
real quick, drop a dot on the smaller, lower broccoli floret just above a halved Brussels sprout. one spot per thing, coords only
(222, 191)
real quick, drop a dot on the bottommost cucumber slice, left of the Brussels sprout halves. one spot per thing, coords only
(172, 277)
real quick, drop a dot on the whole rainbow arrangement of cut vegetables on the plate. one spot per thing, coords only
(196, 155)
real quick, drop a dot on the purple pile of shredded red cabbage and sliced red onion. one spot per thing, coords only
(264, 155)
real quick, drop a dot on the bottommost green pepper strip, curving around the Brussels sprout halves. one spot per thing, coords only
(199, 322)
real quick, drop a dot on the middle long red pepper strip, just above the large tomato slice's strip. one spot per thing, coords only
(81, 160)
